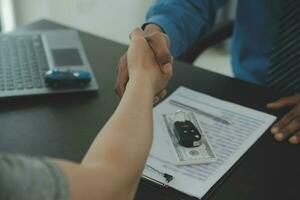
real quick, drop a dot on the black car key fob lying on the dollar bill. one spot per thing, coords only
(187, 134)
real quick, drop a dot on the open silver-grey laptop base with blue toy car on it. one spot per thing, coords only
(26, 57)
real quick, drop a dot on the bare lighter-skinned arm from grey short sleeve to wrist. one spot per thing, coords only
(112, 167)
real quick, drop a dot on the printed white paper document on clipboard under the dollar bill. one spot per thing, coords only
(229, 141)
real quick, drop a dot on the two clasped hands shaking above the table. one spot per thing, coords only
(147, 61)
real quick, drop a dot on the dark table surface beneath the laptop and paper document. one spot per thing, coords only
(65, 125)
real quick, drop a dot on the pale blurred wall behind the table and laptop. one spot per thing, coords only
(112, 19)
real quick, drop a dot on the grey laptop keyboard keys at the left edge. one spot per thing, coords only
(23, 63)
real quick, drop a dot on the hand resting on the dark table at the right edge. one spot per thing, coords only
(289, 125)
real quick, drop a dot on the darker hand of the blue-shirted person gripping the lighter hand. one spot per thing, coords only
(160, 45)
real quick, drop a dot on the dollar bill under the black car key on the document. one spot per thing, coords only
(189, 155)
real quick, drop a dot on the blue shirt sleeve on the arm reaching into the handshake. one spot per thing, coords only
(184, 20)
